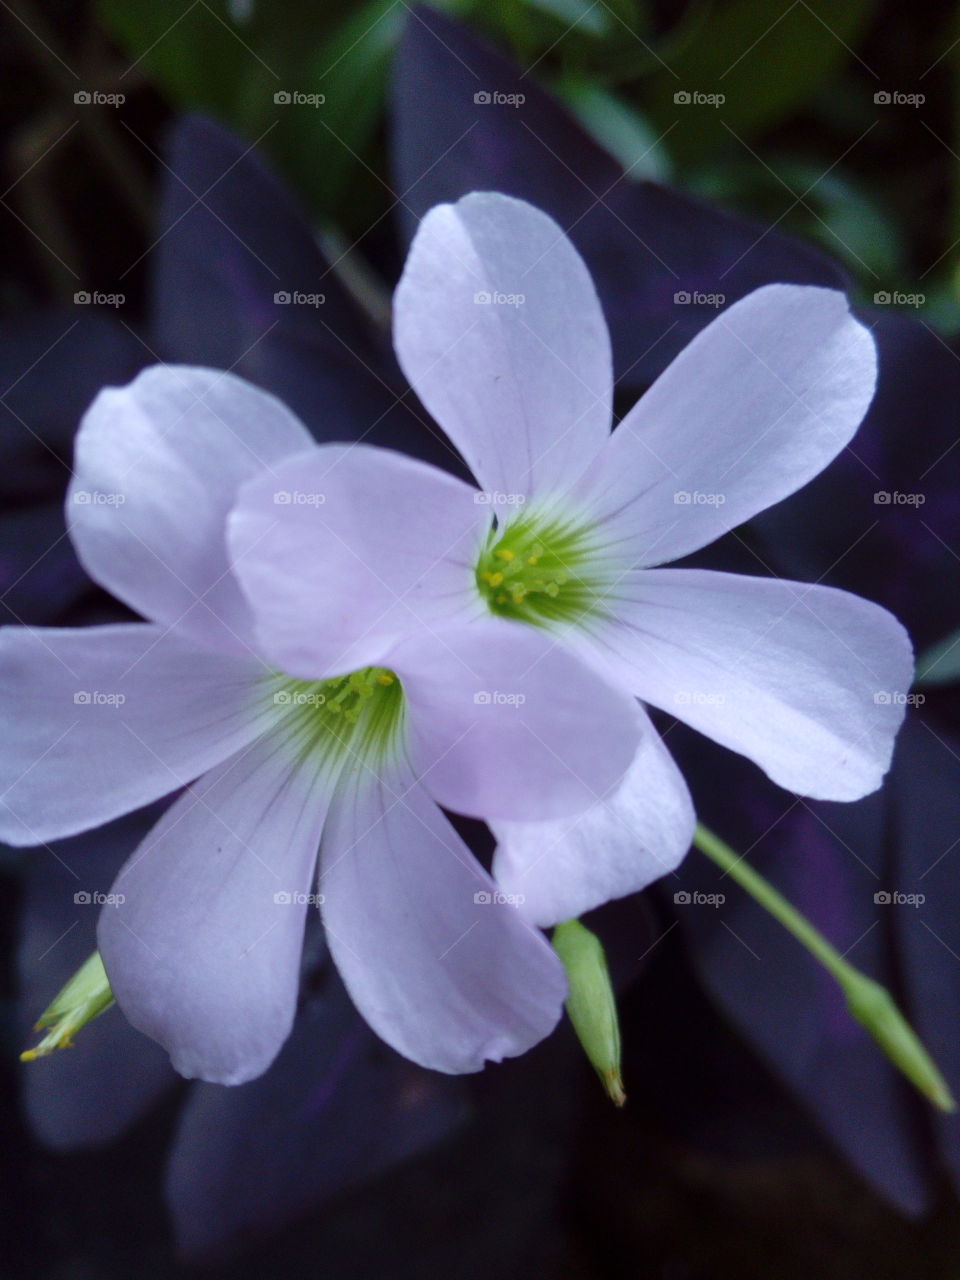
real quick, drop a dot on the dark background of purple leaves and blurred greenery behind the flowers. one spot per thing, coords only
(765, 1135)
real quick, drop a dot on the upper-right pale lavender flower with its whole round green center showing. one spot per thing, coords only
(500, 331)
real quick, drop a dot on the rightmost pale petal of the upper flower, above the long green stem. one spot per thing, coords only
(808, 682)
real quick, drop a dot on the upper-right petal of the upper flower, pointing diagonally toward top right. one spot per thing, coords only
(760, 403)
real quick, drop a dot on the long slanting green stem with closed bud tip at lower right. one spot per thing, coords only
(868, 1002)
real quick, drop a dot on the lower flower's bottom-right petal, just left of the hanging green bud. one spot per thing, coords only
(444, 971)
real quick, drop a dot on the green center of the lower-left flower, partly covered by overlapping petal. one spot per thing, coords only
(355, 717)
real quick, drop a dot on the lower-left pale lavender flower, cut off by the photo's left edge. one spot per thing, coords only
(203, 934)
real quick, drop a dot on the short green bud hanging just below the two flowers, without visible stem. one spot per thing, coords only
(592, 1005)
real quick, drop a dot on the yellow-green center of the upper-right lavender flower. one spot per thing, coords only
(541, 569)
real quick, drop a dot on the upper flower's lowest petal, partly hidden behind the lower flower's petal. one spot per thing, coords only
(644, 830)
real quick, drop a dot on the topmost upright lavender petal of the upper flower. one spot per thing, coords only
(500, 331)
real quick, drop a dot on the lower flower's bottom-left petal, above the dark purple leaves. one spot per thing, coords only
(204, 949)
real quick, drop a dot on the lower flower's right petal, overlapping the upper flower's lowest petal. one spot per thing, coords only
(505, 723)
